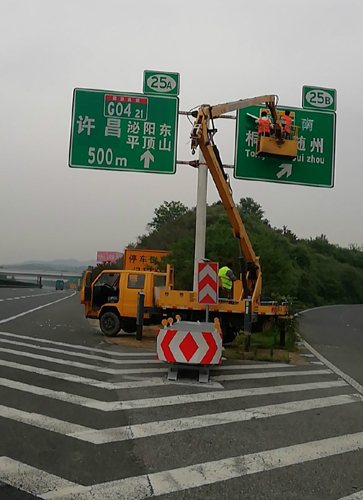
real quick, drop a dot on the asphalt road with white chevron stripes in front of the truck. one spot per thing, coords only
(85, 420)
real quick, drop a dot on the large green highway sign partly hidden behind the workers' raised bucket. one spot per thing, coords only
(315, 162)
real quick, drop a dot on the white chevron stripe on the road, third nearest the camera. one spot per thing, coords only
(164, 401)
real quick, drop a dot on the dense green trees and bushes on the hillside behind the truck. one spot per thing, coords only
(308, 272)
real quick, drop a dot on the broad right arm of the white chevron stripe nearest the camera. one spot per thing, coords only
(203, 474)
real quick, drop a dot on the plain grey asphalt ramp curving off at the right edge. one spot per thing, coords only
(337, 333)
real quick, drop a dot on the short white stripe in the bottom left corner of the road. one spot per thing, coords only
(32, 480)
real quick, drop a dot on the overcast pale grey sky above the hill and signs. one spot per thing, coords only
(223, 51)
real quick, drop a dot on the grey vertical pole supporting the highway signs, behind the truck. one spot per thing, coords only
(201, 215)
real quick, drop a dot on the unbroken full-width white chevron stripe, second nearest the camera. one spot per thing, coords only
(139, 431)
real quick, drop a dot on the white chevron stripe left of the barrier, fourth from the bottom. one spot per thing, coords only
(77, 379)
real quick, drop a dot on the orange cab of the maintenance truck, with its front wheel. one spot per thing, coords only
(113, 297)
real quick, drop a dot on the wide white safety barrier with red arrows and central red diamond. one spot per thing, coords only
(190, 343)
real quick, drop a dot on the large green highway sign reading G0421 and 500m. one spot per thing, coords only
(122, 131)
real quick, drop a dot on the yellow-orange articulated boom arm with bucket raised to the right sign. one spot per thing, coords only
(203, 136)
